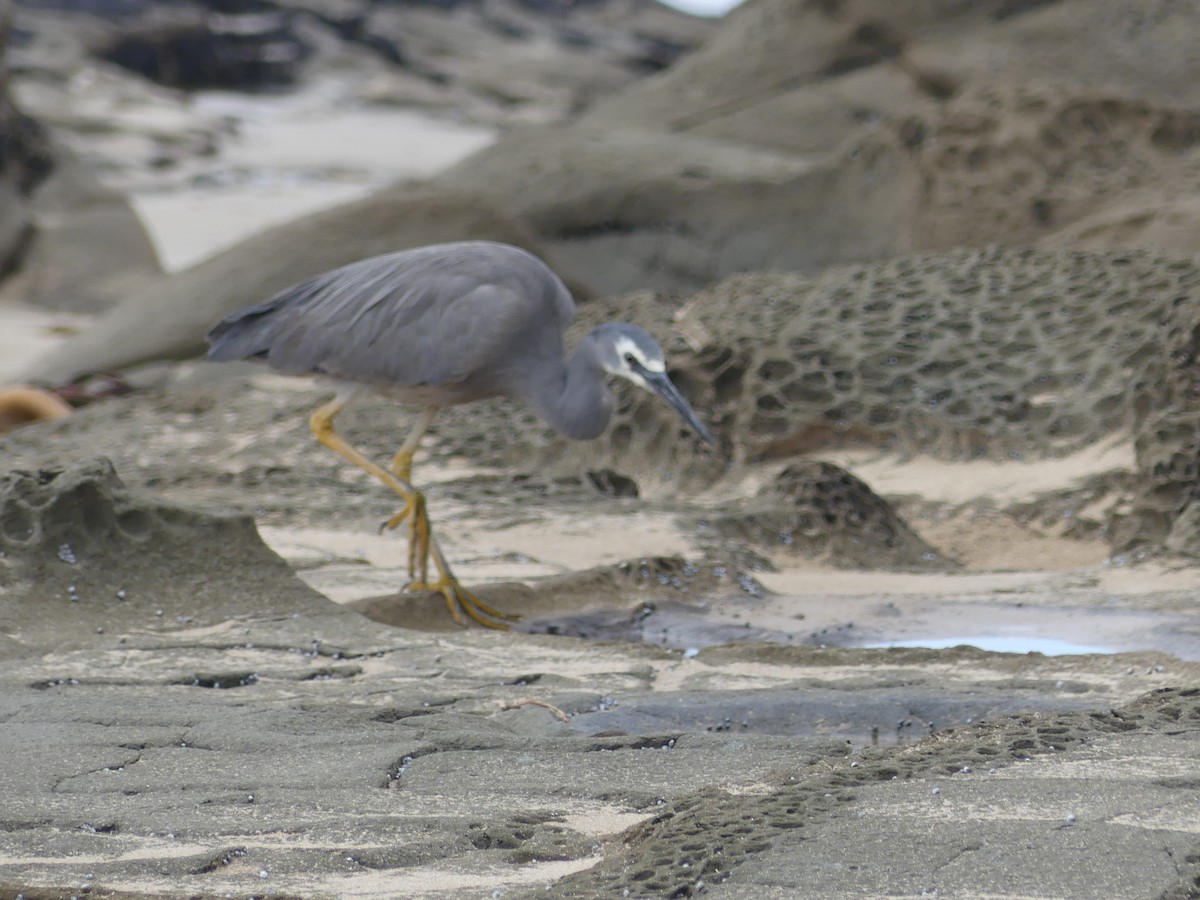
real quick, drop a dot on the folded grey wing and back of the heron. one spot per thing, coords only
(424, 317)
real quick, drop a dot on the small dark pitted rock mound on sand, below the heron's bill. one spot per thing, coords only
(819, 511)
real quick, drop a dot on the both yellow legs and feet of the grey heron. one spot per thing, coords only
(421, 535)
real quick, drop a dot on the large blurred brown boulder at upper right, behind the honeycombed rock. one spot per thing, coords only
(877, 129)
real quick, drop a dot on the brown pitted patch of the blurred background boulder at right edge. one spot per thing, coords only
(1054, 164)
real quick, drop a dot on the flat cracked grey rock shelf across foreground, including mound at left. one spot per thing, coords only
(255, 734)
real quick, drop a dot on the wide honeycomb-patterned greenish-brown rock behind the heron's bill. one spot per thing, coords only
(1011, 353)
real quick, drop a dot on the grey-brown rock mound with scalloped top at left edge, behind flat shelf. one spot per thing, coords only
(76, 545)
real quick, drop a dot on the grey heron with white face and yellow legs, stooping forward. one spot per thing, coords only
(442, 326)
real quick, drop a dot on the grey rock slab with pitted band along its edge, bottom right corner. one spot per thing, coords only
(905, 802)
